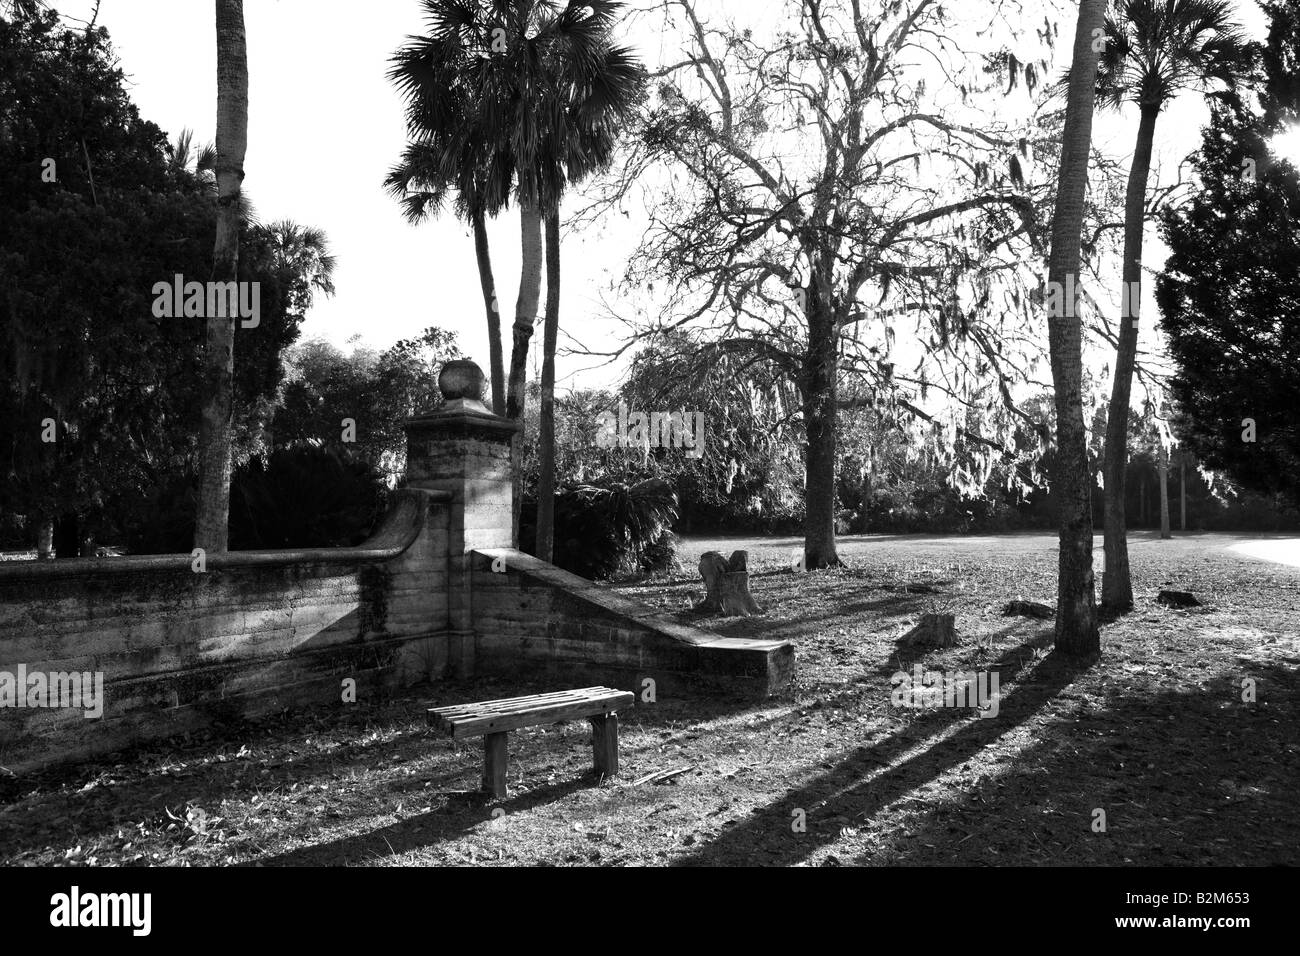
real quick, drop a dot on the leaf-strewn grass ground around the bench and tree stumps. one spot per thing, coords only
(1155, 734)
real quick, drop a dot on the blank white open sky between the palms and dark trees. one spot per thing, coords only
(326, 126)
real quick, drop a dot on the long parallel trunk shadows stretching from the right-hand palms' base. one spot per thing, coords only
(857, 788)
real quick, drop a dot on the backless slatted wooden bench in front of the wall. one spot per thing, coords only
(496, 719)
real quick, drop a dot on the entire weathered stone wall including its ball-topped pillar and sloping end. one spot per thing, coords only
(263, 631)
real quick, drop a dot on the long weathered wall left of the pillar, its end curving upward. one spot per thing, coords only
(254, 633)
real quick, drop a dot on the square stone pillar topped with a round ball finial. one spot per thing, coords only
(465, 449)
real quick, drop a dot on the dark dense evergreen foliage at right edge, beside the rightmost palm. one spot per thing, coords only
(1230, 295)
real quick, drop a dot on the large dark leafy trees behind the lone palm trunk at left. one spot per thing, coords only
(99, 400)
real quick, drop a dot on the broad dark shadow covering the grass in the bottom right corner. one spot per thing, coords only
(1184, 777)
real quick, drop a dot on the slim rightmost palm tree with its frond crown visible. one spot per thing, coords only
(1154, 51)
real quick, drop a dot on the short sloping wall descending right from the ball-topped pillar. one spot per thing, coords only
(534, 617)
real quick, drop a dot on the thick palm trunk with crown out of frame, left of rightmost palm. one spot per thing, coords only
(1077, 615)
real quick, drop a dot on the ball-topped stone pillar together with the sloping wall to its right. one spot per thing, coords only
(535, 620)
